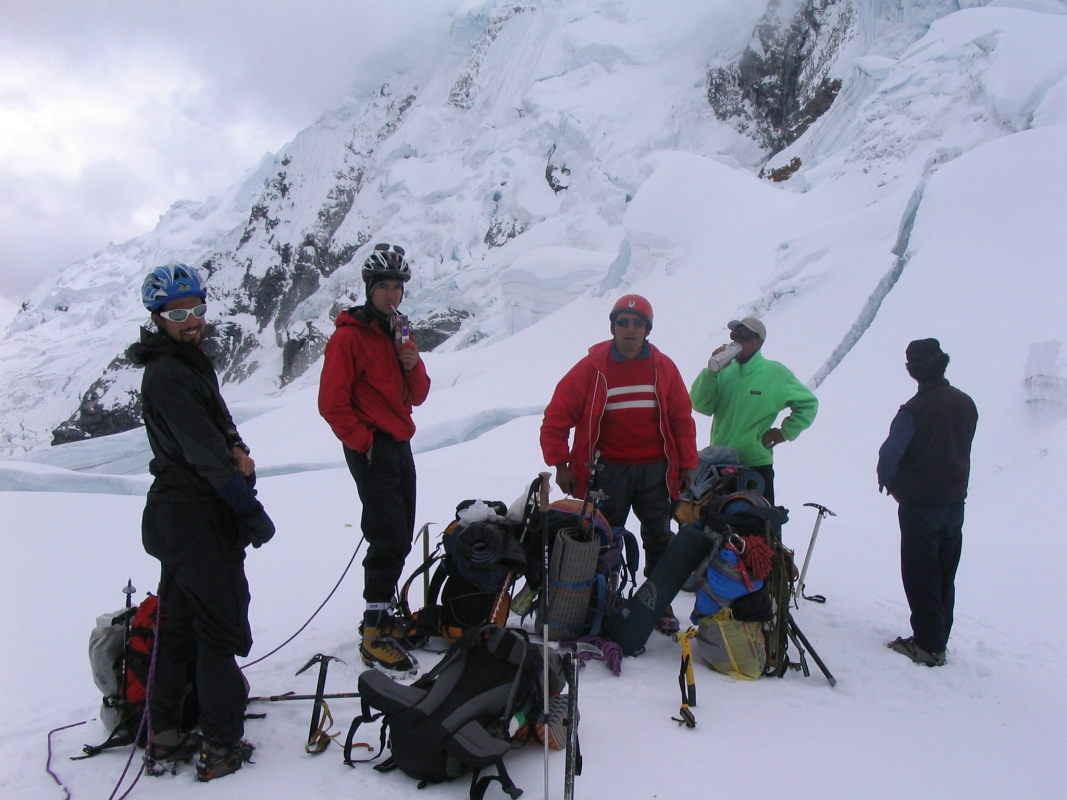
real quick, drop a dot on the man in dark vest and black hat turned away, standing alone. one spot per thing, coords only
(926, 465)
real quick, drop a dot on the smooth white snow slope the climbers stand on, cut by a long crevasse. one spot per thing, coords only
(941, 215)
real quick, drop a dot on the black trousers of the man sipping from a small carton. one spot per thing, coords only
(387, 487)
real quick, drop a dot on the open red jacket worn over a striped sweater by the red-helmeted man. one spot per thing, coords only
(579, 404)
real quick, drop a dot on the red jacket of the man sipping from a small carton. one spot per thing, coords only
(364, 389)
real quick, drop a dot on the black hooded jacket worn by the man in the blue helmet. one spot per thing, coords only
(189, 426)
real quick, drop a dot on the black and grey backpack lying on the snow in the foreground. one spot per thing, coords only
(465, 713)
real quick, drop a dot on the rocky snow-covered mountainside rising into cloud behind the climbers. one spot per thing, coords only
(505, 164)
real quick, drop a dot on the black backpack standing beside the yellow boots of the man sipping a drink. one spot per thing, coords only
(479, 551)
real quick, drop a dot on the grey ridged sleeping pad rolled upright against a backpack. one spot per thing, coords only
(572, 575)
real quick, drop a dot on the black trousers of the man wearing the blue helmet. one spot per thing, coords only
(204, 597)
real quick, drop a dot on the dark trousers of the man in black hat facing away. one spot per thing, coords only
(932, 539)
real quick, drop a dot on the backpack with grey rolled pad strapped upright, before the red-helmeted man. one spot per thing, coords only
(588, 573)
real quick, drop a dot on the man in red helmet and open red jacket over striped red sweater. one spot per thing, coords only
(628, 402)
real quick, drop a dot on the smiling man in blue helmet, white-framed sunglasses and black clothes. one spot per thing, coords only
(201, 515)
